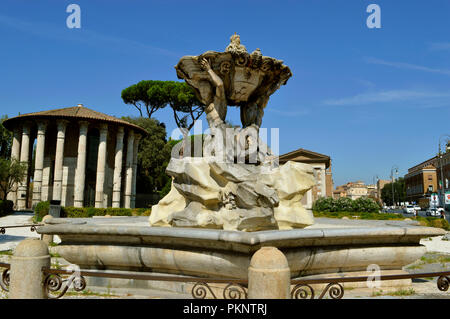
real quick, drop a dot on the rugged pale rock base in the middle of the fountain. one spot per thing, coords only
(210, 194)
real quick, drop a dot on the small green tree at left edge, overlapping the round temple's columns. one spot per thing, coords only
(11, 172)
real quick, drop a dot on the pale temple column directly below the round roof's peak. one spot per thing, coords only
(80, 173)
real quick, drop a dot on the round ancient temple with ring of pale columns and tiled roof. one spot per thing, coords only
(76, 156)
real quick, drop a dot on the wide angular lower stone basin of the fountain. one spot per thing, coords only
(128, 243)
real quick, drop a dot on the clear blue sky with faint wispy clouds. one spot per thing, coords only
(369, 98)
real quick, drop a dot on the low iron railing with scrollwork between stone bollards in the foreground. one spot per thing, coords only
(234, 289)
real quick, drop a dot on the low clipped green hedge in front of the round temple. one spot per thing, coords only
(42, 209)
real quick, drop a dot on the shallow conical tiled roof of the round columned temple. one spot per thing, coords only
(70, 113)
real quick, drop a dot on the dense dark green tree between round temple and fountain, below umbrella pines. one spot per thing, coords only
(153, 156)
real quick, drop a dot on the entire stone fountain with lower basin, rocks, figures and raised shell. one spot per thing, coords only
(226, 205)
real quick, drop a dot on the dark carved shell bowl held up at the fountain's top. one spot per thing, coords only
(246, 77)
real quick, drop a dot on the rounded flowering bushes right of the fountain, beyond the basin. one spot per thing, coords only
(362, 204)
